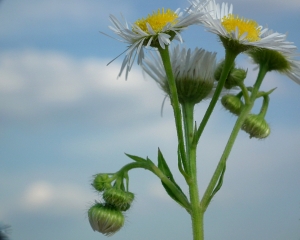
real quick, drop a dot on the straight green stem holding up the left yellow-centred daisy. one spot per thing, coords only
(164, 53)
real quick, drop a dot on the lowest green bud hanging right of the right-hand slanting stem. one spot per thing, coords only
(256, 126)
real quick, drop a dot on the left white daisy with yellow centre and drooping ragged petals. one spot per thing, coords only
(156, 30)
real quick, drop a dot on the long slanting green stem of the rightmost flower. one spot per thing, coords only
(222, 163)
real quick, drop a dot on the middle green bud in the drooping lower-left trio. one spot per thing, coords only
(118, 198)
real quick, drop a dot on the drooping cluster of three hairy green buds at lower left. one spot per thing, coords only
(107, 217)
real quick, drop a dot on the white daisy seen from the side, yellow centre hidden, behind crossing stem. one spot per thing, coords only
(193, 72)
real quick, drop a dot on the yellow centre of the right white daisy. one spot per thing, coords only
(231, 22)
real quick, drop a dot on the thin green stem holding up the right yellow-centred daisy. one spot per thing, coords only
(228, 63)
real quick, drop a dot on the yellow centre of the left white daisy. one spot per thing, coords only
(158, 20)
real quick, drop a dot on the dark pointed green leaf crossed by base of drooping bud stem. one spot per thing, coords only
(163, 166)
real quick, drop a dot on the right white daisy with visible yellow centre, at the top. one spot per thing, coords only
(219, 19)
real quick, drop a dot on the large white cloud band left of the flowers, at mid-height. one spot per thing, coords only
(35, 82)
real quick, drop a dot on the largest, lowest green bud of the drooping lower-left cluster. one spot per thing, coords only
(105, 219)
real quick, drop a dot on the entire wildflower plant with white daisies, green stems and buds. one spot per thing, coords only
(187, 77)
